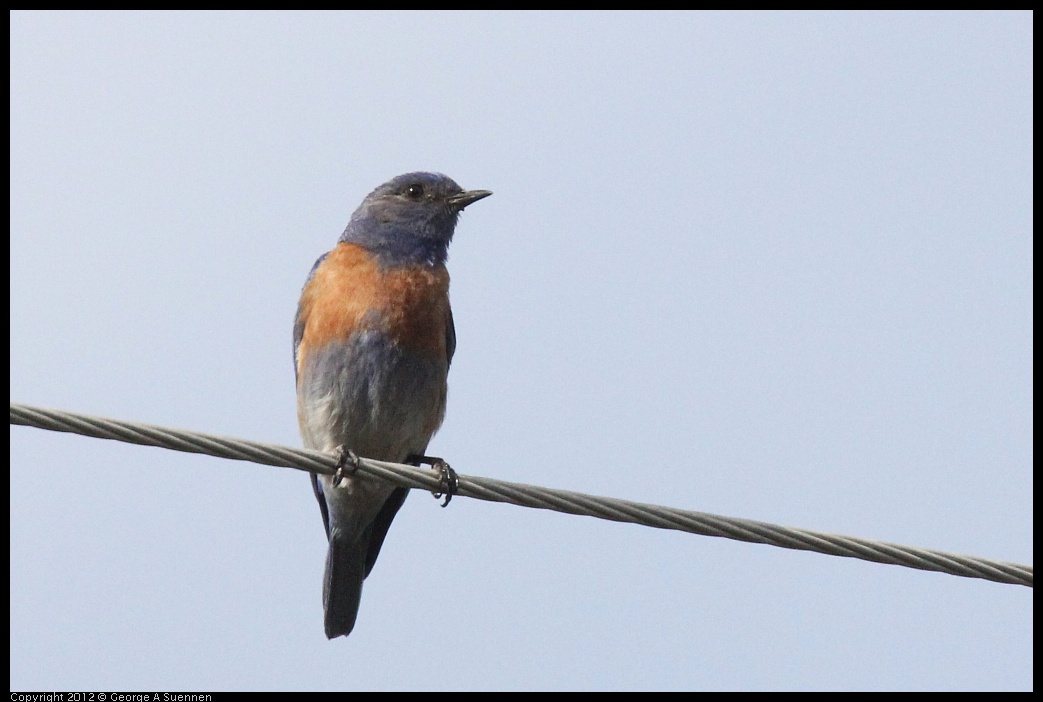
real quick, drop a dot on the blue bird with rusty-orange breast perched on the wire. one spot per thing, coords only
(373, 342)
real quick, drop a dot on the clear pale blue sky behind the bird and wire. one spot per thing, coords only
(775, 267)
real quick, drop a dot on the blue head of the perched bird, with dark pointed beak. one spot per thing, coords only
(410, 220)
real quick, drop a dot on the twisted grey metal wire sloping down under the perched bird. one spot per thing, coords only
(531, 496)
